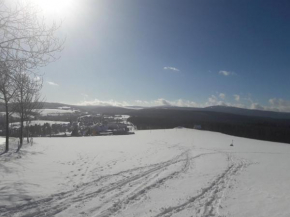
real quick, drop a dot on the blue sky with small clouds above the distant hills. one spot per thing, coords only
(184, 53)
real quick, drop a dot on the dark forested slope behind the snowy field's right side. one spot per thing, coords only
(277, 130)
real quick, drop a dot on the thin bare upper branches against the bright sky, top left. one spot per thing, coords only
(26, 39)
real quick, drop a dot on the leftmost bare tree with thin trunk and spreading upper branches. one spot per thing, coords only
(27, 42)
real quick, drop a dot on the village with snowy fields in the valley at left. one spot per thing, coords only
(65, 121)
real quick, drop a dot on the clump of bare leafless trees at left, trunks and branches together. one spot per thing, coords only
(27, 42)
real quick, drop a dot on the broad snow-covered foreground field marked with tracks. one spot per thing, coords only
(178, 172)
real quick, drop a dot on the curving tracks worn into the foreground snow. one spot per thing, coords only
(116, 192)
